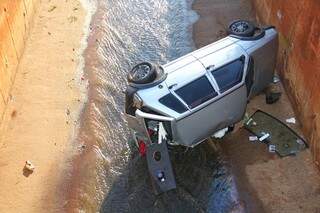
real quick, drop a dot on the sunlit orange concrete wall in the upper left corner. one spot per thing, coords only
(15, 20)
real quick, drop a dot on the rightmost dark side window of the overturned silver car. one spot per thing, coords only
(229, 75)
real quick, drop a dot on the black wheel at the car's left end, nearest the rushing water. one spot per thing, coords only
(142, 73)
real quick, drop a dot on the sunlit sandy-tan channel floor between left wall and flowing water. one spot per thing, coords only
(42, 110)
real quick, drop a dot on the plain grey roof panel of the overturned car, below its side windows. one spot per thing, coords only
(223, 112)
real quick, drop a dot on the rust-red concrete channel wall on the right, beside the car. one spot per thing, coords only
(299, 58)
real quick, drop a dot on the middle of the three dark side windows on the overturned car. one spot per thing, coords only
(197, 92)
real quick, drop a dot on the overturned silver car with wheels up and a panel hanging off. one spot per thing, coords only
(187, 100)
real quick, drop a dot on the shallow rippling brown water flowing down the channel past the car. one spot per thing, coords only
(109, 175)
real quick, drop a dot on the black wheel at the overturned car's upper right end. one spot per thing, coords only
(241, 28)
